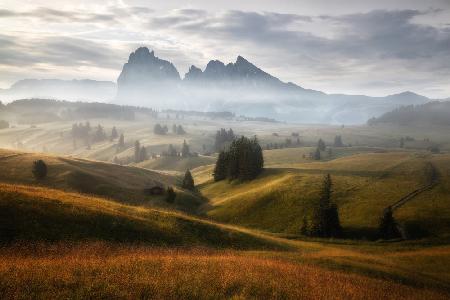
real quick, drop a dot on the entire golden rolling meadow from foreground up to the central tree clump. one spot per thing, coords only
(65, 242)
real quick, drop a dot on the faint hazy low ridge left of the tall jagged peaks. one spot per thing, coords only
(76, 90)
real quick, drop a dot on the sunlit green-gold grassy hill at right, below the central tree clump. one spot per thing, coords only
(364, 185)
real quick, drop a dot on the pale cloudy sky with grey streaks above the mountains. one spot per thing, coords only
(348, 46)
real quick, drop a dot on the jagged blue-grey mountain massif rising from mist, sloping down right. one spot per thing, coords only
(243, 88)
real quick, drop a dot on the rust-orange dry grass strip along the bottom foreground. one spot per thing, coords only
(102, 271)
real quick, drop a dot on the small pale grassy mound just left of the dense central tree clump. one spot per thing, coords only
(179, 164)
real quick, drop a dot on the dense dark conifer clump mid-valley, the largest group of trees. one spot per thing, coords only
(243, 160)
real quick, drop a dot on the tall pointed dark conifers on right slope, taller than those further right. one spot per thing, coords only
(324, 221)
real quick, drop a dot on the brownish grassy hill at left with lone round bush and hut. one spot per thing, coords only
(121, 183)
